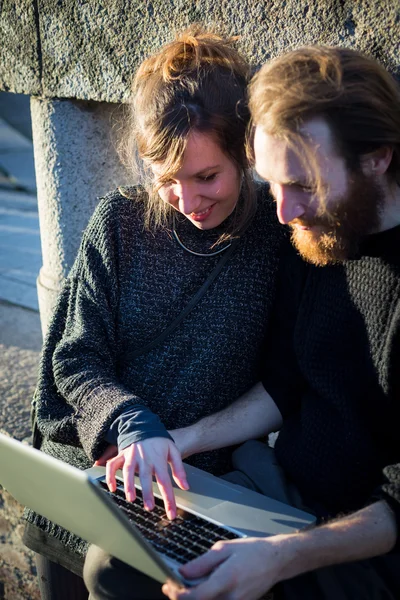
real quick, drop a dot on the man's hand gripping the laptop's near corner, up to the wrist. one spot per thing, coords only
(240, 570)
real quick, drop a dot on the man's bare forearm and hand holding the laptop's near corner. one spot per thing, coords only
(245, 569)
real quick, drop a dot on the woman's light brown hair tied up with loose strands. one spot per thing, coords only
(196, 83)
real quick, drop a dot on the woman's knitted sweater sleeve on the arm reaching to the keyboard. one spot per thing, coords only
(84, 360)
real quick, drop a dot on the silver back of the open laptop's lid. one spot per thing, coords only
(74, 500)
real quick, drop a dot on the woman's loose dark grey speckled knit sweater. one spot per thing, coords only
(126, 286)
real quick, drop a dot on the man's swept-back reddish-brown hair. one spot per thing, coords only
(356, 96)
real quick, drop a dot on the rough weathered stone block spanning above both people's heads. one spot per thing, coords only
(90, 50)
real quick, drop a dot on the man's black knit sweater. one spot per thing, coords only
(334, 372)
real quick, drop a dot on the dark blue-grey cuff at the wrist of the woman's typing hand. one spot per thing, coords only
(135, 424)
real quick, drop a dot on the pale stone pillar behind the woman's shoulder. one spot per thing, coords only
(75, 163)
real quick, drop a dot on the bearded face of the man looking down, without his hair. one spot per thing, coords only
(323, 232)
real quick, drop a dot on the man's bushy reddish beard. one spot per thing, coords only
(337, 233)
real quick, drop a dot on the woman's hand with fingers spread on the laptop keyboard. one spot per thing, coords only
(148, 458)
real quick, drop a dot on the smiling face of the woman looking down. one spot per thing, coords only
(206, 188)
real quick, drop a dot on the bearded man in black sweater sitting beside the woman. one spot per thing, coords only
(327, 138)
